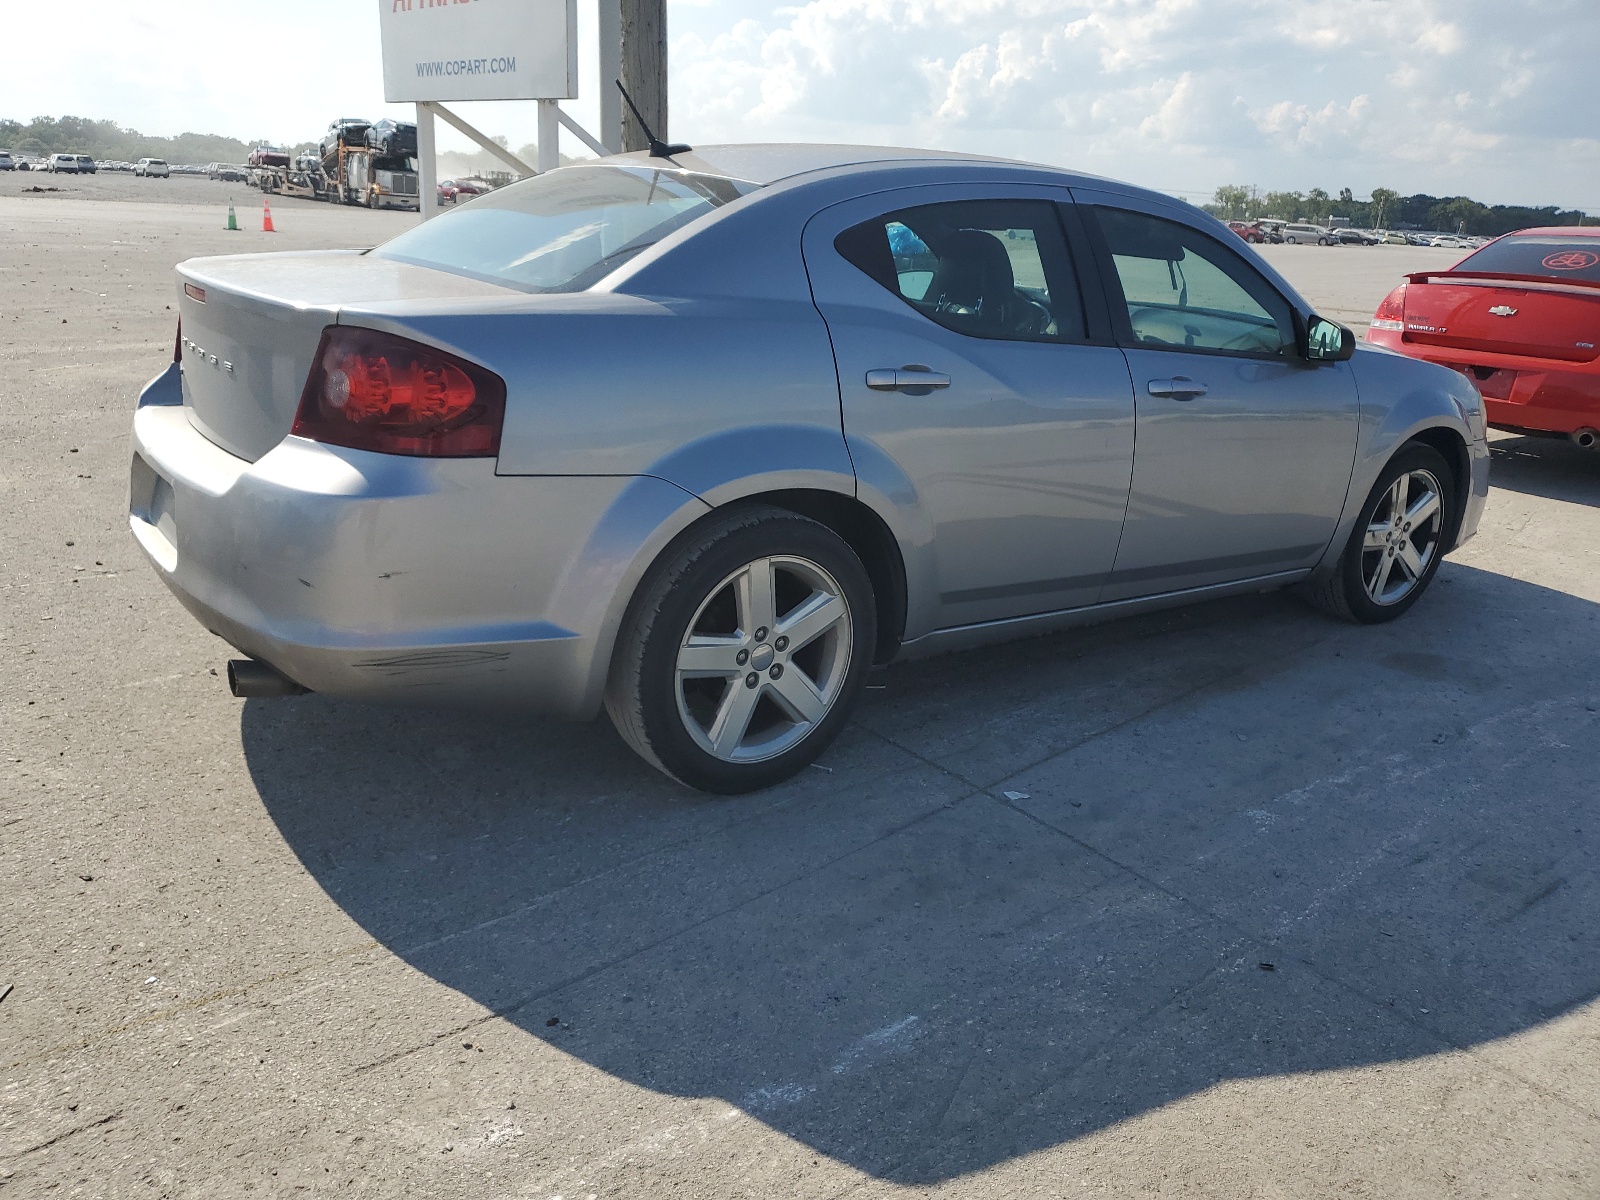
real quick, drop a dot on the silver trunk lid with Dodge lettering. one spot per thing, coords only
(252, 324)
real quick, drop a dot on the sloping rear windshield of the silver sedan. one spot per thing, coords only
(567, 230)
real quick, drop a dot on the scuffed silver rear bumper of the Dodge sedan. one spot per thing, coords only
(378, 577)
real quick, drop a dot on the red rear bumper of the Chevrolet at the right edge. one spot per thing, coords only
(1518, 393)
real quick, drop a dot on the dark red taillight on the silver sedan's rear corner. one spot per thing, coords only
(374, 391)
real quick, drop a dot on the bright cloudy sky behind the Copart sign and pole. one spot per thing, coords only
(1482, 98)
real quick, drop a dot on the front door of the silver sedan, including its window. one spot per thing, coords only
(1244, 449)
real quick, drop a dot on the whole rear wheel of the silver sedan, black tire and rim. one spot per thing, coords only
(719, 705)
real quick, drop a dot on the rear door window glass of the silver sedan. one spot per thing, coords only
(983, 268)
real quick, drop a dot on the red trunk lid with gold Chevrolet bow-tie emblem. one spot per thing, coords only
(1505, 314)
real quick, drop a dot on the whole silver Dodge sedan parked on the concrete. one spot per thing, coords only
(702, 439)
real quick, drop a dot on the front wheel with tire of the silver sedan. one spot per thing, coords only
(1398, 543)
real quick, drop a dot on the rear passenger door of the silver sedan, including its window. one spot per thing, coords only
(969, 380)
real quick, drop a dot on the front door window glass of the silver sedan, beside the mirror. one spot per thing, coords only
(1188, 292)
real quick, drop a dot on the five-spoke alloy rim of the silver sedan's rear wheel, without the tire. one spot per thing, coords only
(766, 660)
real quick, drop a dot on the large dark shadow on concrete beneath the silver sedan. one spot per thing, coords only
(1033, 890)
